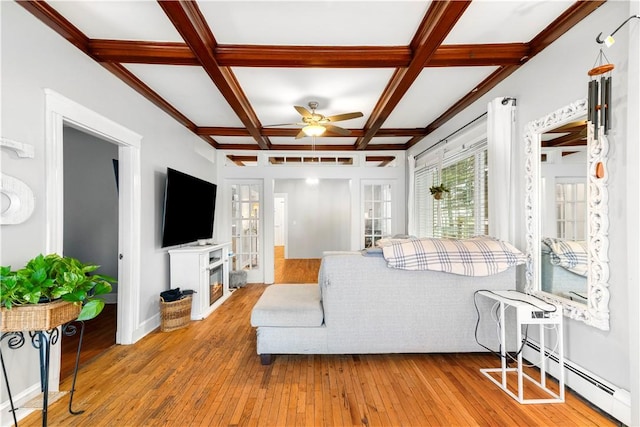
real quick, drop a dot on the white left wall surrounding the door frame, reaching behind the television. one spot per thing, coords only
(35, 58)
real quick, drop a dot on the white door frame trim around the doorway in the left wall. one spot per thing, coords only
(60, 112)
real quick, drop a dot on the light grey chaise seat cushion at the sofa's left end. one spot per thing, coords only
(289, 305)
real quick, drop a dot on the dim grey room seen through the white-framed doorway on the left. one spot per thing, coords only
(91, 232)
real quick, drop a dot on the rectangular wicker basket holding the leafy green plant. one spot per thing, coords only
(38, 317)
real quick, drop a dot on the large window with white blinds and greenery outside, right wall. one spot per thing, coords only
(463, 211)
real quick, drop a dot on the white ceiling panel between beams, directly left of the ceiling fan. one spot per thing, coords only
(190, 90)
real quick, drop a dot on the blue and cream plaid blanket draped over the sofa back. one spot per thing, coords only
(477, 256)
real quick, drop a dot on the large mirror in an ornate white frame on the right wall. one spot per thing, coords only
(566, 214)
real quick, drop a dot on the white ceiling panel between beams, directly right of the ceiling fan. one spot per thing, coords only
(433, 92)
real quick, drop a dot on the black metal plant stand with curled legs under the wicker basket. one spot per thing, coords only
(42, 341)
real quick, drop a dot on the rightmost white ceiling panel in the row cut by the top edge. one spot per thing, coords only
(504, 21)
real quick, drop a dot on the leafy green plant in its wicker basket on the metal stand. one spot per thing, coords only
(49, 291)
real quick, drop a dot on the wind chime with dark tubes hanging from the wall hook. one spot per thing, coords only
(599, 100)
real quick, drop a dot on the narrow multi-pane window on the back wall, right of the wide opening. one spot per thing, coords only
(377, 212)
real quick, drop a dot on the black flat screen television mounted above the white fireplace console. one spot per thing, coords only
(189, 209)
